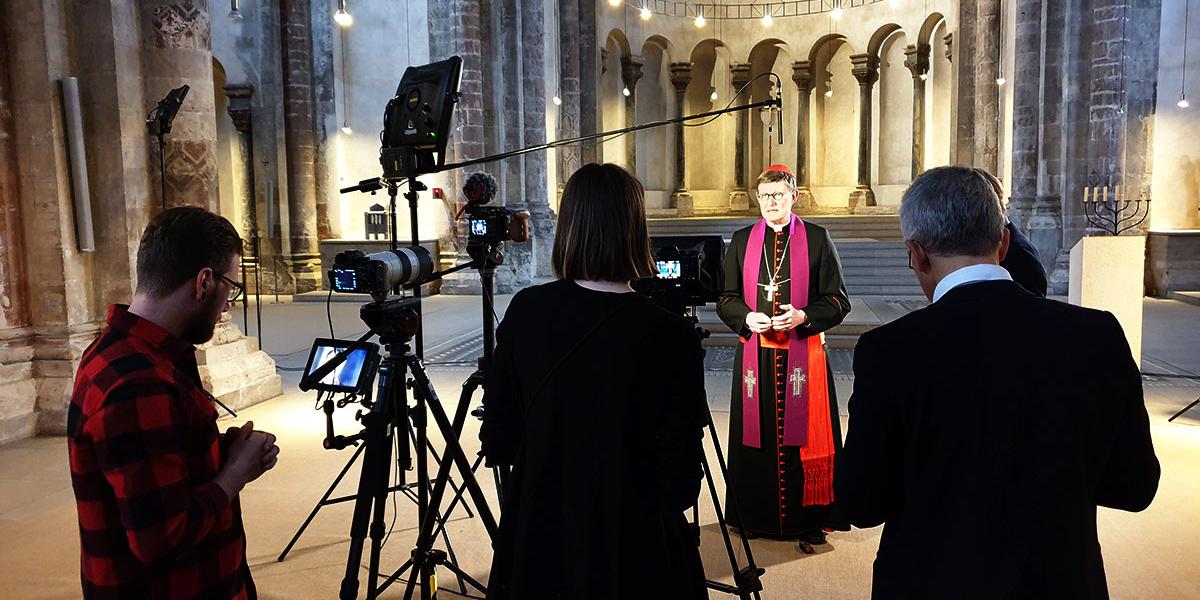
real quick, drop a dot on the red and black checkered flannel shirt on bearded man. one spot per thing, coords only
(145, 451)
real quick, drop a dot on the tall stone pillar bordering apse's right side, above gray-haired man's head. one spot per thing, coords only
(987, 91)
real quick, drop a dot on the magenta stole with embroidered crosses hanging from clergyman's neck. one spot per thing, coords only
(796, 409)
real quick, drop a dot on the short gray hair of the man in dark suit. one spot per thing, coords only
(952, 212)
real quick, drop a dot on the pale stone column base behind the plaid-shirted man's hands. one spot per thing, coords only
(235, 370)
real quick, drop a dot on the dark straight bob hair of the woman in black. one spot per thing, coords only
(602, 227)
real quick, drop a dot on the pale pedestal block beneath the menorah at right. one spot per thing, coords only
(1107, 274)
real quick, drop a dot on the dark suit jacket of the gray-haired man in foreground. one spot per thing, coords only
(987, 472)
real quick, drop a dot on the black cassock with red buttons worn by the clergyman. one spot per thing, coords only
(769, 482)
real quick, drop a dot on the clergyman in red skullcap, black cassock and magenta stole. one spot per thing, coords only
(783, 291)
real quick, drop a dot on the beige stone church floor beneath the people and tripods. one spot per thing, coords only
(1149, 555)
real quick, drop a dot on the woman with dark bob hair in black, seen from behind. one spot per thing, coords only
(596, 399)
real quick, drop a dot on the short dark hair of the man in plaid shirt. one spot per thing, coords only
(179, 243)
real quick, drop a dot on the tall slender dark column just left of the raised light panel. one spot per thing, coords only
(299, 125)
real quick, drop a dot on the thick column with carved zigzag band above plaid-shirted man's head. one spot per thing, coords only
(177, 49)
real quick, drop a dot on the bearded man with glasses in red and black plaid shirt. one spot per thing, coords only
(157, 484)
